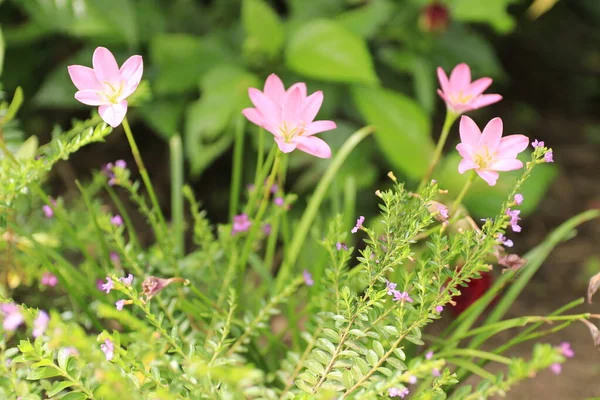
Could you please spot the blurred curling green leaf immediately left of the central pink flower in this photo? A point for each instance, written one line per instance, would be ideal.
(224, 95)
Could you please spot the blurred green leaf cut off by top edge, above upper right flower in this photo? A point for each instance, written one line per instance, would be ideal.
(493, 12)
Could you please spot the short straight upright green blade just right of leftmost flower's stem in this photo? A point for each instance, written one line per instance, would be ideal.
(176, 159)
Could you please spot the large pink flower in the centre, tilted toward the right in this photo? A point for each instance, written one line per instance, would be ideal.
(289, 116)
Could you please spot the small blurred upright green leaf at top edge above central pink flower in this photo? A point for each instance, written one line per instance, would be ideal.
(264, 30)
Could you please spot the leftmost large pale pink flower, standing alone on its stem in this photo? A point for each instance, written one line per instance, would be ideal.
(106, 85)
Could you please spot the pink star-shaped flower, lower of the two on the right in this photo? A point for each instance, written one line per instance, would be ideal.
(488, 152)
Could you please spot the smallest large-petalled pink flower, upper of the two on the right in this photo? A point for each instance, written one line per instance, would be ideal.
(462, 95)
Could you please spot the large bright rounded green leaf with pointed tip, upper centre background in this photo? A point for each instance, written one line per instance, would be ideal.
(326, 50)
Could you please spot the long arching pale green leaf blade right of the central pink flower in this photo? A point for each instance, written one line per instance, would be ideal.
(314, 203)
